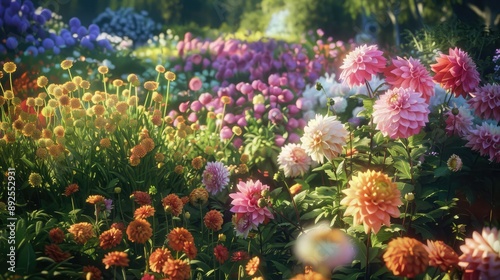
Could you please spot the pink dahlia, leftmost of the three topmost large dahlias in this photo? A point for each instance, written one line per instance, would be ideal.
(360, 64)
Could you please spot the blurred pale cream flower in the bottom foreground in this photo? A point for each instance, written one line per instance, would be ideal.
(324, 248)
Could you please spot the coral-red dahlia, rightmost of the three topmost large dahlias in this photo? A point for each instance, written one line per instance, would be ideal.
(456, 72)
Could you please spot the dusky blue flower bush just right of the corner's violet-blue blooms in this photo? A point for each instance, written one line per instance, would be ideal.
(125, 22)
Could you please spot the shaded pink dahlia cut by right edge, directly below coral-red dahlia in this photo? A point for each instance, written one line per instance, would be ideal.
(486, 102)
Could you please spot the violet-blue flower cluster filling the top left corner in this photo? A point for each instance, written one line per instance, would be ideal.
(24, 28)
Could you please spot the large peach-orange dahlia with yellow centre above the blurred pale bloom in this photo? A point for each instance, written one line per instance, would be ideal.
(372, 199)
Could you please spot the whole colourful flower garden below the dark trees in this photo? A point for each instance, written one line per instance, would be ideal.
(232, 158)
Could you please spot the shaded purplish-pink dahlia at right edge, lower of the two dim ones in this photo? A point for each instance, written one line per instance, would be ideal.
(486, 140)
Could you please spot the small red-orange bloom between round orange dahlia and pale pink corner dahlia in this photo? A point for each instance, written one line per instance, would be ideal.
(441, 255)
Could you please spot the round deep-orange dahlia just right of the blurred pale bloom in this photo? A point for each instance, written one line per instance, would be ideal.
(406, 257)
